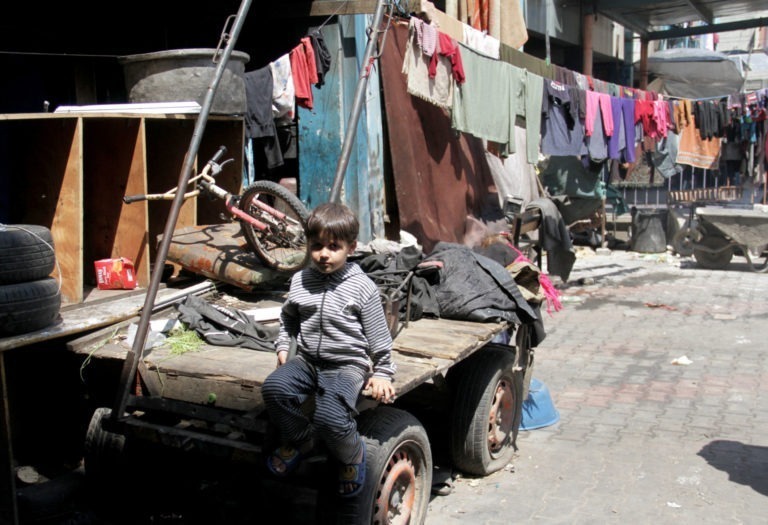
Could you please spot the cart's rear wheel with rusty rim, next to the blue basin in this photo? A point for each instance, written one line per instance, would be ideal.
(486, 411)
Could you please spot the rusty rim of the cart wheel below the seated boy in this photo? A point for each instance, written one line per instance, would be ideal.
(396, 493)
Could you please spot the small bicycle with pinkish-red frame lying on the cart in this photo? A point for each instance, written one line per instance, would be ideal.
(272, 218)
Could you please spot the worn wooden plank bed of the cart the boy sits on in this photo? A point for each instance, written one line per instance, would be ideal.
(231, 377)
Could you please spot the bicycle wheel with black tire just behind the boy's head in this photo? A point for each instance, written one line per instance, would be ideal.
(280, 239)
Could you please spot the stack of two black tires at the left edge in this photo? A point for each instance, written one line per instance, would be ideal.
(29, 298)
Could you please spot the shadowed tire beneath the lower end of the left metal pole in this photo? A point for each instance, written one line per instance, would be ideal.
(103, 456)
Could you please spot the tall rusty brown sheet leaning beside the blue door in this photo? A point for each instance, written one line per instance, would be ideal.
(442, 179)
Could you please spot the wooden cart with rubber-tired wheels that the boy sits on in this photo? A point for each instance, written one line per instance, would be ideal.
(209, 401)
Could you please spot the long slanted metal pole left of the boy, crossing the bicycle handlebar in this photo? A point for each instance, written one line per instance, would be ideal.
(130, 366)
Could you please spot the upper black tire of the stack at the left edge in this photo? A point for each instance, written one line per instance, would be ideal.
(26, 253)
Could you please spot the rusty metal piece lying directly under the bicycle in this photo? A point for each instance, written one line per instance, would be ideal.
(220, 251)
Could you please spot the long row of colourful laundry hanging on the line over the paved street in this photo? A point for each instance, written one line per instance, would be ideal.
(565, 113)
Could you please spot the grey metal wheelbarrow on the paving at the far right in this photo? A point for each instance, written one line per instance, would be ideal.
(721, 231)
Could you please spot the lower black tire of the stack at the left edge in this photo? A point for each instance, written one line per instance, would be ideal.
(30, 306)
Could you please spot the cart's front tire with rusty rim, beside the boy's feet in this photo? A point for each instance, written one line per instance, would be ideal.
(398, 478)
